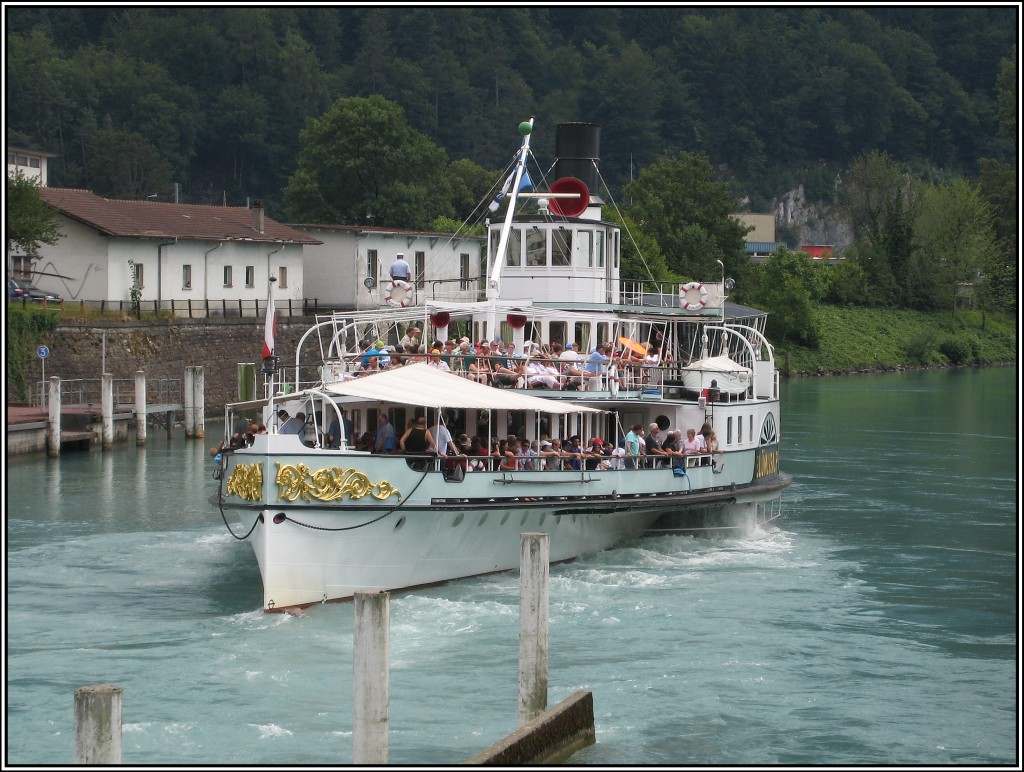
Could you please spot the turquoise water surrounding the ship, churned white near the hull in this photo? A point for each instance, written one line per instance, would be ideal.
(876, 624)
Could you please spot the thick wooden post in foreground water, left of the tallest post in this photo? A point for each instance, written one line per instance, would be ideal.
(370, 683)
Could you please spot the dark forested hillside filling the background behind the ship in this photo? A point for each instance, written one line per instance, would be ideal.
(137, 100)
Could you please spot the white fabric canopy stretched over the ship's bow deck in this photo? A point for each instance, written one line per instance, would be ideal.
(429, 388)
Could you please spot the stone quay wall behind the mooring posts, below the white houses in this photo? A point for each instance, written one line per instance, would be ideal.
(163, 350)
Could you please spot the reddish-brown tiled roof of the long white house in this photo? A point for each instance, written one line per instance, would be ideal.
(147, 220)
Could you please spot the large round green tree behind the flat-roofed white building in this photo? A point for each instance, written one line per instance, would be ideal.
(362, 163)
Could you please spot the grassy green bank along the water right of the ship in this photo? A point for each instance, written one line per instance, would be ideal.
(863, 339)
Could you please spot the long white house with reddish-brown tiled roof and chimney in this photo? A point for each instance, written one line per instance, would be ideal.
(169, 252)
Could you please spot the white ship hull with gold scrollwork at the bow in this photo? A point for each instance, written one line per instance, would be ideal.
(432, 530)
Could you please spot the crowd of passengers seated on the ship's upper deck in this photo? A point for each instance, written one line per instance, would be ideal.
(497, 363)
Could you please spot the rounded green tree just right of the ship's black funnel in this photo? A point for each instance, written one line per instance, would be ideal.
(679, 204)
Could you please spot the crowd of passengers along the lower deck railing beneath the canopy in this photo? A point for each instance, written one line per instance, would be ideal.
(635, 451)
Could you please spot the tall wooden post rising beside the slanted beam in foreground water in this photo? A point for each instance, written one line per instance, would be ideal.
(534, 556)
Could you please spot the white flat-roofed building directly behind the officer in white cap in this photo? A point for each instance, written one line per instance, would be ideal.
(349, 268)
